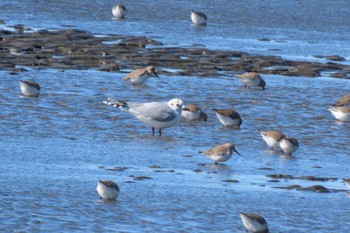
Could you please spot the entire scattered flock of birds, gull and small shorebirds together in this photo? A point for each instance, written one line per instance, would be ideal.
(160, 115)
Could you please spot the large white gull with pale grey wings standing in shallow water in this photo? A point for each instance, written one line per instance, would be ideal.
(158, 115)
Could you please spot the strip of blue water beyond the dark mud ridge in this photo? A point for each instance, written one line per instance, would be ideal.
(294, 29)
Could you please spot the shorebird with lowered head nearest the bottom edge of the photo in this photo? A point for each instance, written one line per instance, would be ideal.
(254, 223)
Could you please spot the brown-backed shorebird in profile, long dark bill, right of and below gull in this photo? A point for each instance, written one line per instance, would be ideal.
(220, 153)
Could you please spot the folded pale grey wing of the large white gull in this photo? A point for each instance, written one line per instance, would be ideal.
(154, 110)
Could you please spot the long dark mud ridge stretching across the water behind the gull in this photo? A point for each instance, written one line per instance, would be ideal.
(76, 49)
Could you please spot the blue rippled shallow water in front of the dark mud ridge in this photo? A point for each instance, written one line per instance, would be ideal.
(56, 147)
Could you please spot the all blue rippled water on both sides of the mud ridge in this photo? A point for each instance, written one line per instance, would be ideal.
(54, 149)
